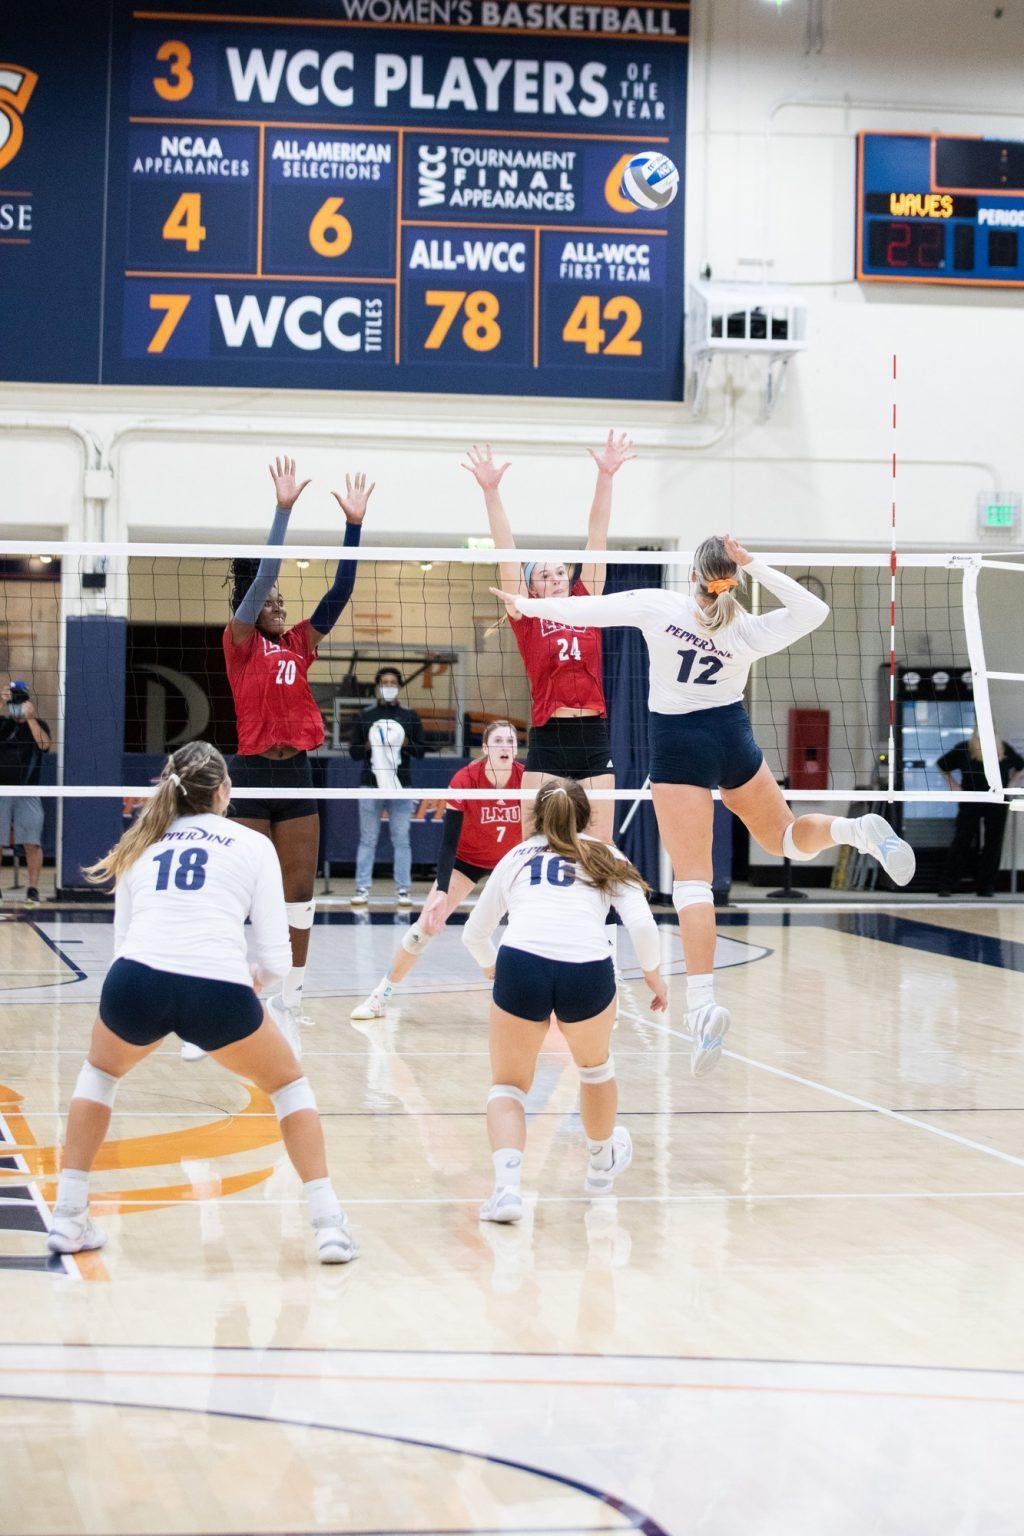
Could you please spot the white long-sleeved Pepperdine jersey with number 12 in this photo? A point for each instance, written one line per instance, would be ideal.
(692, 669)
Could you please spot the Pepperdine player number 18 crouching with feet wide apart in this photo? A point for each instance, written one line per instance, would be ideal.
(187, 884)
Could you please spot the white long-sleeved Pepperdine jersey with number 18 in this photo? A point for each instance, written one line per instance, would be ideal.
(183, 905)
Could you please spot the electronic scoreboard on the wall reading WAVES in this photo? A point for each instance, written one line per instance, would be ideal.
(940, 210)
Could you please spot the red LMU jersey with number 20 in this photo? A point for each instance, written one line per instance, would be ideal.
(274, 704)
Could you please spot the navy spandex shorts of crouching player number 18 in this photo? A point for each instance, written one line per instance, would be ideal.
(142, 1005)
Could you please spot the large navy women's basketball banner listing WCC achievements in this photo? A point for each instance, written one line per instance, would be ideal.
(377, 196)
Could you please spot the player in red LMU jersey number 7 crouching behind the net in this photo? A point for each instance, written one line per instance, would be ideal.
(477, 835)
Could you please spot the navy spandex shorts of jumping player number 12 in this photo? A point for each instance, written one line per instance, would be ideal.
(710, 749)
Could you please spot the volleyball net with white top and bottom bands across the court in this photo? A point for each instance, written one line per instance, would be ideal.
(122, 652)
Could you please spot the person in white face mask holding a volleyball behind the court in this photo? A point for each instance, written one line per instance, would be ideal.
(386, 738)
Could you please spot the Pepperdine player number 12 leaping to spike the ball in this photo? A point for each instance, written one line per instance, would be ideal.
(702, 649)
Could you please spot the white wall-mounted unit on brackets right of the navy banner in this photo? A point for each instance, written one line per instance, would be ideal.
(762, 322)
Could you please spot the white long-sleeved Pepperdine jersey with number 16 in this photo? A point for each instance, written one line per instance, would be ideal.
(555, 912)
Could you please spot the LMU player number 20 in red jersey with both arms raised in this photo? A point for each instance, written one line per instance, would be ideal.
(279, 720)
